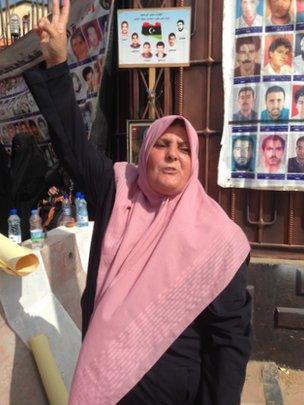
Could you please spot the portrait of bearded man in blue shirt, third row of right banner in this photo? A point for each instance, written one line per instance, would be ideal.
(275, 101)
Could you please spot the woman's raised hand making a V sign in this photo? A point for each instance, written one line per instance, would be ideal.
(52, 34)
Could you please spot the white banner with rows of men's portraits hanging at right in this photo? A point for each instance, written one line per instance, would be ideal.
(263, 67)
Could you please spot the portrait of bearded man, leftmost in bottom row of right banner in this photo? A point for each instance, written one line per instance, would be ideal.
(243, 152)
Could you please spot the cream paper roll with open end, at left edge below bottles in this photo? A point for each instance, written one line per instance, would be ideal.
(16, 260)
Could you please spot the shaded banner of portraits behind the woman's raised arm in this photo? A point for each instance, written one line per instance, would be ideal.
(87, 44)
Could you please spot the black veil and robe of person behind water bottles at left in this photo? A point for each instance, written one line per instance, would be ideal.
(28, 169)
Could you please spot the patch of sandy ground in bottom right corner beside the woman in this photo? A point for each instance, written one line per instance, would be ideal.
(268, 384)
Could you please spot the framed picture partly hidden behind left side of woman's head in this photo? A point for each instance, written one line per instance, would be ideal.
(136, 130)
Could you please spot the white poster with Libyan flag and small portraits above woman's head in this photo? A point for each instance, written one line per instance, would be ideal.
(154, 37)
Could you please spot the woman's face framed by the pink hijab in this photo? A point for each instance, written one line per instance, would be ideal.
(169, 162)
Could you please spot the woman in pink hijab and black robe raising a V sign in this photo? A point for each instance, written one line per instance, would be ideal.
(166, 315)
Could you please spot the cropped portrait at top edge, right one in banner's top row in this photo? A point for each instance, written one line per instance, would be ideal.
(280, 12)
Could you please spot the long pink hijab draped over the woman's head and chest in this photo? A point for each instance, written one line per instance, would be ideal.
(163, 261)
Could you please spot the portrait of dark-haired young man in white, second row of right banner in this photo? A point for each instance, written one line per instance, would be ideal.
(279, 57)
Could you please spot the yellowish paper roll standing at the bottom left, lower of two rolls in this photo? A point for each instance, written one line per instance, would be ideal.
(52, 381)
